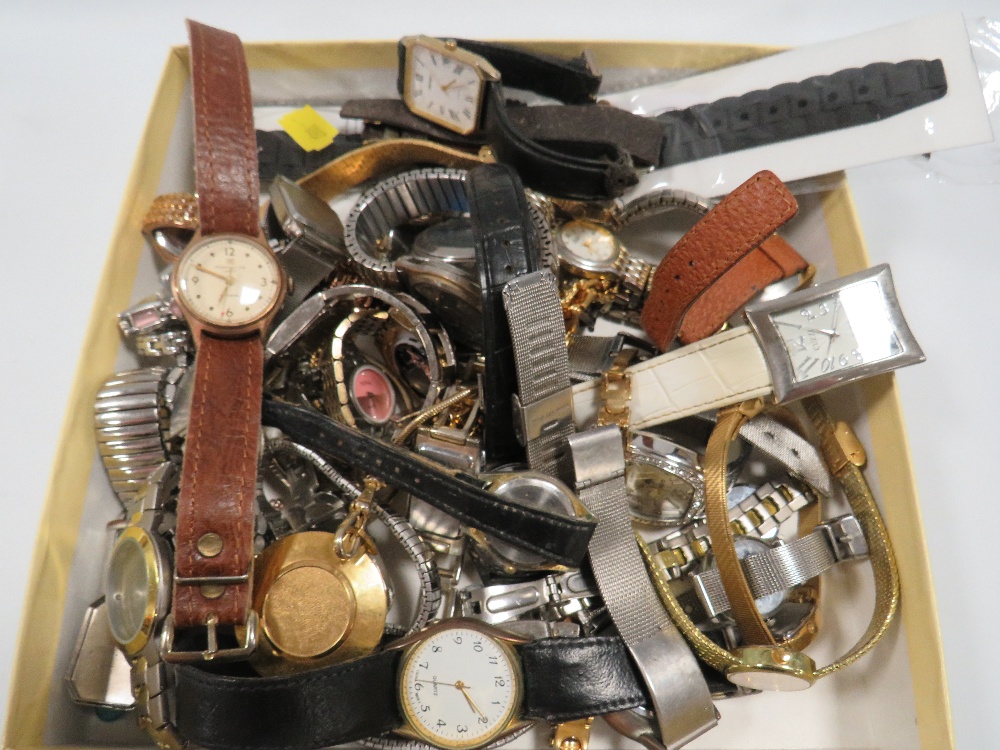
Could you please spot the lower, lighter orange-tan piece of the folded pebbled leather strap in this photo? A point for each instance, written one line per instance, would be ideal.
(773, 260)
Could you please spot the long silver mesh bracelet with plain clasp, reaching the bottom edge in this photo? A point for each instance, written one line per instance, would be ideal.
(681, 699)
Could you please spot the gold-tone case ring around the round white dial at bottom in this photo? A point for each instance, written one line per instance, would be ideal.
(505, 640)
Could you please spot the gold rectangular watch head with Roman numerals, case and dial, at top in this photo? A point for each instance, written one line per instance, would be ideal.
(444, 84)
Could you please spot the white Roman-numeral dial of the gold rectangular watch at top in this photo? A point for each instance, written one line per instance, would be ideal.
(443, 89)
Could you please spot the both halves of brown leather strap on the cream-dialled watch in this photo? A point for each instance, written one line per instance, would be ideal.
(215, 507)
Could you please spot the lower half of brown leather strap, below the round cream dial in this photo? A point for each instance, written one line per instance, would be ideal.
(215, 508)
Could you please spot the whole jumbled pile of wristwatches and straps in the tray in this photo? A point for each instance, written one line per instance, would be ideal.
(452, 434)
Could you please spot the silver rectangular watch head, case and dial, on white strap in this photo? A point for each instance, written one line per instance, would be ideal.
(834, 333)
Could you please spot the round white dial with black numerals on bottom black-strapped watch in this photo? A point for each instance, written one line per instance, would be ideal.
(459, 688)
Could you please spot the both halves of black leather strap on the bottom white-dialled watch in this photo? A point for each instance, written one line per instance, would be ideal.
(564, 678)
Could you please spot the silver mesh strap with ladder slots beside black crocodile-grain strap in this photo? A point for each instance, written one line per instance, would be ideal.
(544, 402)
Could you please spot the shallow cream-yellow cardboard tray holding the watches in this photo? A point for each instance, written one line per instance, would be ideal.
(894, 698)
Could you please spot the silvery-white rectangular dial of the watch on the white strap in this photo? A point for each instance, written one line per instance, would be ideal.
(836, 333)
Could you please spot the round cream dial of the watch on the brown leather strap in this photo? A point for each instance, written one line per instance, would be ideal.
(228, 280)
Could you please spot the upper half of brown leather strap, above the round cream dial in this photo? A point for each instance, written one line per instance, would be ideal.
(225, 143)
